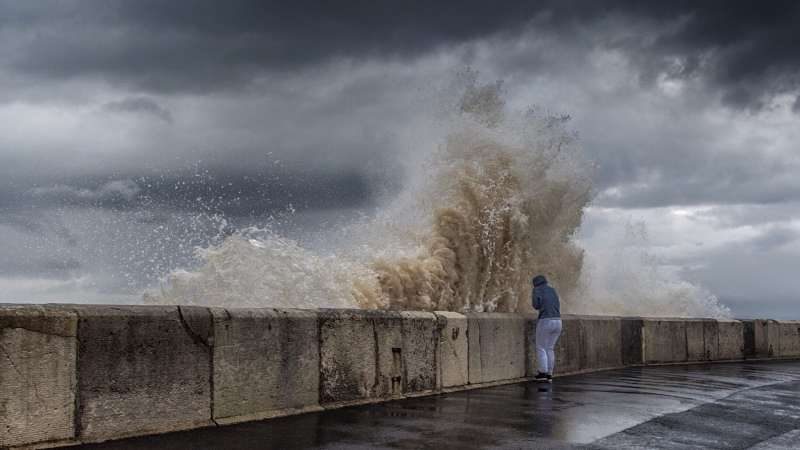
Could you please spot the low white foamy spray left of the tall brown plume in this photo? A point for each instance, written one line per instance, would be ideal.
(257, 267)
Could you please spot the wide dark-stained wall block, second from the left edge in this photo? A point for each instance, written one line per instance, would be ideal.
(142, 370)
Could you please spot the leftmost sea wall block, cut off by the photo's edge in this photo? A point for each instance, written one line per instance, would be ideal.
(37, 374)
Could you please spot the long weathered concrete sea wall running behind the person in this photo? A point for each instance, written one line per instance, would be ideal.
(91, 373)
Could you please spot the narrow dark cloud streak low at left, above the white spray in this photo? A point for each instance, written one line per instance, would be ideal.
(234, 194)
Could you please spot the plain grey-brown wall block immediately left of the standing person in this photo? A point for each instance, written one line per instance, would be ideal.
(496, 347)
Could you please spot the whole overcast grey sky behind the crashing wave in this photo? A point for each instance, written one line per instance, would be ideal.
(120, 119)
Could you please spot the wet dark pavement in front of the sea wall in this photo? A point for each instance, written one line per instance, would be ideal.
(734, 405)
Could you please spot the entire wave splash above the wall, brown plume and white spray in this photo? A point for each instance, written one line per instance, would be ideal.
(500, 199)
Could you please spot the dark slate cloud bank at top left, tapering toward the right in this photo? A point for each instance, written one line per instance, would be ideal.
(207, 45)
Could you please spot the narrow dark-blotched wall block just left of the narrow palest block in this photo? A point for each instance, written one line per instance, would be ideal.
(420, 334)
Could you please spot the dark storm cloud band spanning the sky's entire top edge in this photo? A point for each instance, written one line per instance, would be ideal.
(747, 49)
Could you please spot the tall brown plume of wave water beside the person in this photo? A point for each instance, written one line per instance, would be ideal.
(500, 214)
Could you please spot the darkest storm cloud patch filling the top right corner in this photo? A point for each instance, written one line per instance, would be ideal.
(747, 48)
